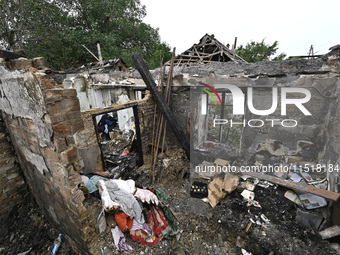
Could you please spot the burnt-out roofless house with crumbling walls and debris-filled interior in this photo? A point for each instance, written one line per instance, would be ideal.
(59, 130)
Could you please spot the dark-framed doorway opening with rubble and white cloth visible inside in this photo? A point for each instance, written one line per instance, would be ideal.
(118, 136)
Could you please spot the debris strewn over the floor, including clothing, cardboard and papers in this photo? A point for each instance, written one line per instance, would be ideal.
(265, 222)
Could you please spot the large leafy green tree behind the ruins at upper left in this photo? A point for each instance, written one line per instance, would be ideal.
(57, 29)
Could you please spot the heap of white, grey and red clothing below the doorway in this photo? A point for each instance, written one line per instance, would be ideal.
(142, 213)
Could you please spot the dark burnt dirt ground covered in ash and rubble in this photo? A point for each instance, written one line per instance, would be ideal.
(203, 229)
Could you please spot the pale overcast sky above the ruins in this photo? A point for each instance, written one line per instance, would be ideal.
(295, 24)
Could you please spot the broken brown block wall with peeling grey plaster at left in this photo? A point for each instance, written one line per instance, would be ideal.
(42, 121)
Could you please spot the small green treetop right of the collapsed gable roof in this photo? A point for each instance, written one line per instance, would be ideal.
(258, 51)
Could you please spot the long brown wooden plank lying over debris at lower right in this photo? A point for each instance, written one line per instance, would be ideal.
(296, 186)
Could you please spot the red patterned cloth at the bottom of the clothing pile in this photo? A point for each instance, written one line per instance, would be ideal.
(156, 222)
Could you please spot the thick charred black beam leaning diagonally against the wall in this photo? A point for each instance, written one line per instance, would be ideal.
(163, 107)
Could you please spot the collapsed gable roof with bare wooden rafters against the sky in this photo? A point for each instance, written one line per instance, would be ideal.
(208, 50)
